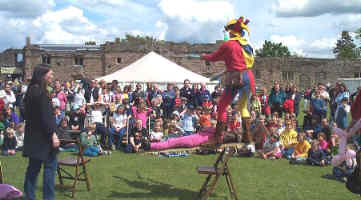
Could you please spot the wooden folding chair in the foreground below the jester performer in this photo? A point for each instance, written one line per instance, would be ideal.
(214, 172)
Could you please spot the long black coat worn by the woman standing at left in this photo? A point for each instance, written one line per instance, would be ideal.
(39, 125)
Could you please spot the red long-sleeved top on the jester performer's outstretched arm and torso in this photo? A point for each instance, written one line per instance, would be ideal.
(231, 53)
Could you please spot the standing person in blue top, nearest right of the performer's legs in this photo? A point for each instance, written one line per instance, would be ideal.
(276, 99)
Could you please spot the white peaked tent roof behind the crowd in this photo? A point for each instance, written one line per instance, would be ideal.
(154, 68)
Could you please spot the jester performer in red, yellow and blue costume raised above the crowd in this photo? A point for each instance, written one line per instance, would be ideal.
(238, 57)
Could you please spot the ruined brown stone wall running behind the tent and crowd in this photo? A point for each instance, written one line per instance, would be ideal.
(113, 56)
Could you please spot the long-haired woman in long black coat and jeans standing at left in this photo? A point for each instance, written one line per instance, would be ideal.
(40, 140)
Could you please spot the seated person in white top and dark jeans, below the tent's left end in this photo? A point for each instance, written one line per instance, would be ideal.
(118, 127)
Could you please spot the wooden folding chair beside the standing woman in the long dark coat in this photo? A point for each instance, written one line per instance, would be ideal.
(79, 165)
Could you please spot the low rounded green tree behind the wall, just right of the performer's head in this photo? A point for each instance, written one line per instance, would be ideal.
(272, 49)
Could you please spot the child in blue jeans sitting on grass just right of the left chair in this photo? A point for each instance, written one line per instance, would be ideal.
(89, 141)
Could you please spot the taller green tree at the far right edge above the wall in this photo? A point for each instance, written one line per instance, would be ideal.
(346, 48)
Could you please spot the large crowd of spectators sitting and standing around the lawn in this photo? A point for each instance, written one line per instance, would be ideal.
(110, 117)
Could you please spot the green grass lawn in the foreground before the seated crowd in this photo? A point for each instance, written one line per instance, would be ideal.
(131, 176)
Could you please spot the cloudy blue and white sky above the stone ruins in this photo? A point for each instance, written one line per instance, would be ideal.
(308, 27)
